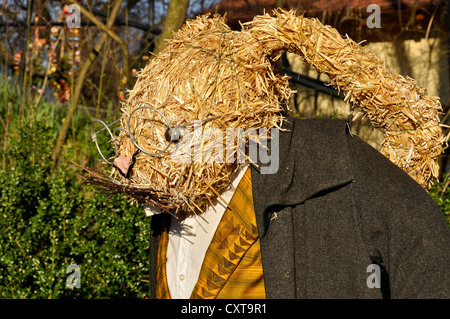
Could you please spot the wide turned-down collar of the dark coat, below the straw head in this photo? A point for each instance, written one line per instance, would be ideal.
(313, 158)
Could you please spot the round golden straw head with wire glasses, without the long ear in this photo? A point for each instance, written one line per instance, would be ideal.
(206, 70)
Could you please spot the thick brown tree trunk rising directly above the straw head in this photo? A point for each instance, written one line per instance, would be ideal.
(176, 15)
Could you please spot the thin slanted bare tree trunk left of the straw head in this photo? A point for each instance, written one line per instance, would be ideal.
(79, 84)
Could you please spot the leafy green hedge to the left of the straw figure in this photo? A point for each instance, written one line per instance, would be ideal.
(50, 219)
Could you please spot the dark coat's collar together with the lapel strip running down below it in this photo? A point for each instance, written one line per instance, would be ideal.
(313, 159)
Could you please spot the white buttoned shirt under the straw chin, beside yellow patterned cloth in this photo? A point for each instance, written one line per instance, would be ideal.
(189, 240)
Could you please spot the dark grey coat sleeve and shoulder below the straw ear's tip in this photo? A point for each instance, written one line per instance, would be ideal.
(402, 227)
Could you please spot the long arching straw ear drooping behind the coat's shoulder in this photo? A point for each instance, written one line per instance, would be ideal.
(408, 118)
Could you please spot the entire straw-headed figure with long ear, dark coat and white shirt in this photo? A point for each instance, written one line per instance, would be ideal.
(247, 202)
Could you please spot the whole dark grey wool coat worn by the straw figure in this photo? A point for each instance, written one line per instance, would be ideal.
(335, 207)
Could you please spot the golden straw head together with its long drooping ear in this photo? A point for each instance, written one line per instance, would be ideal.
(208, 70)
